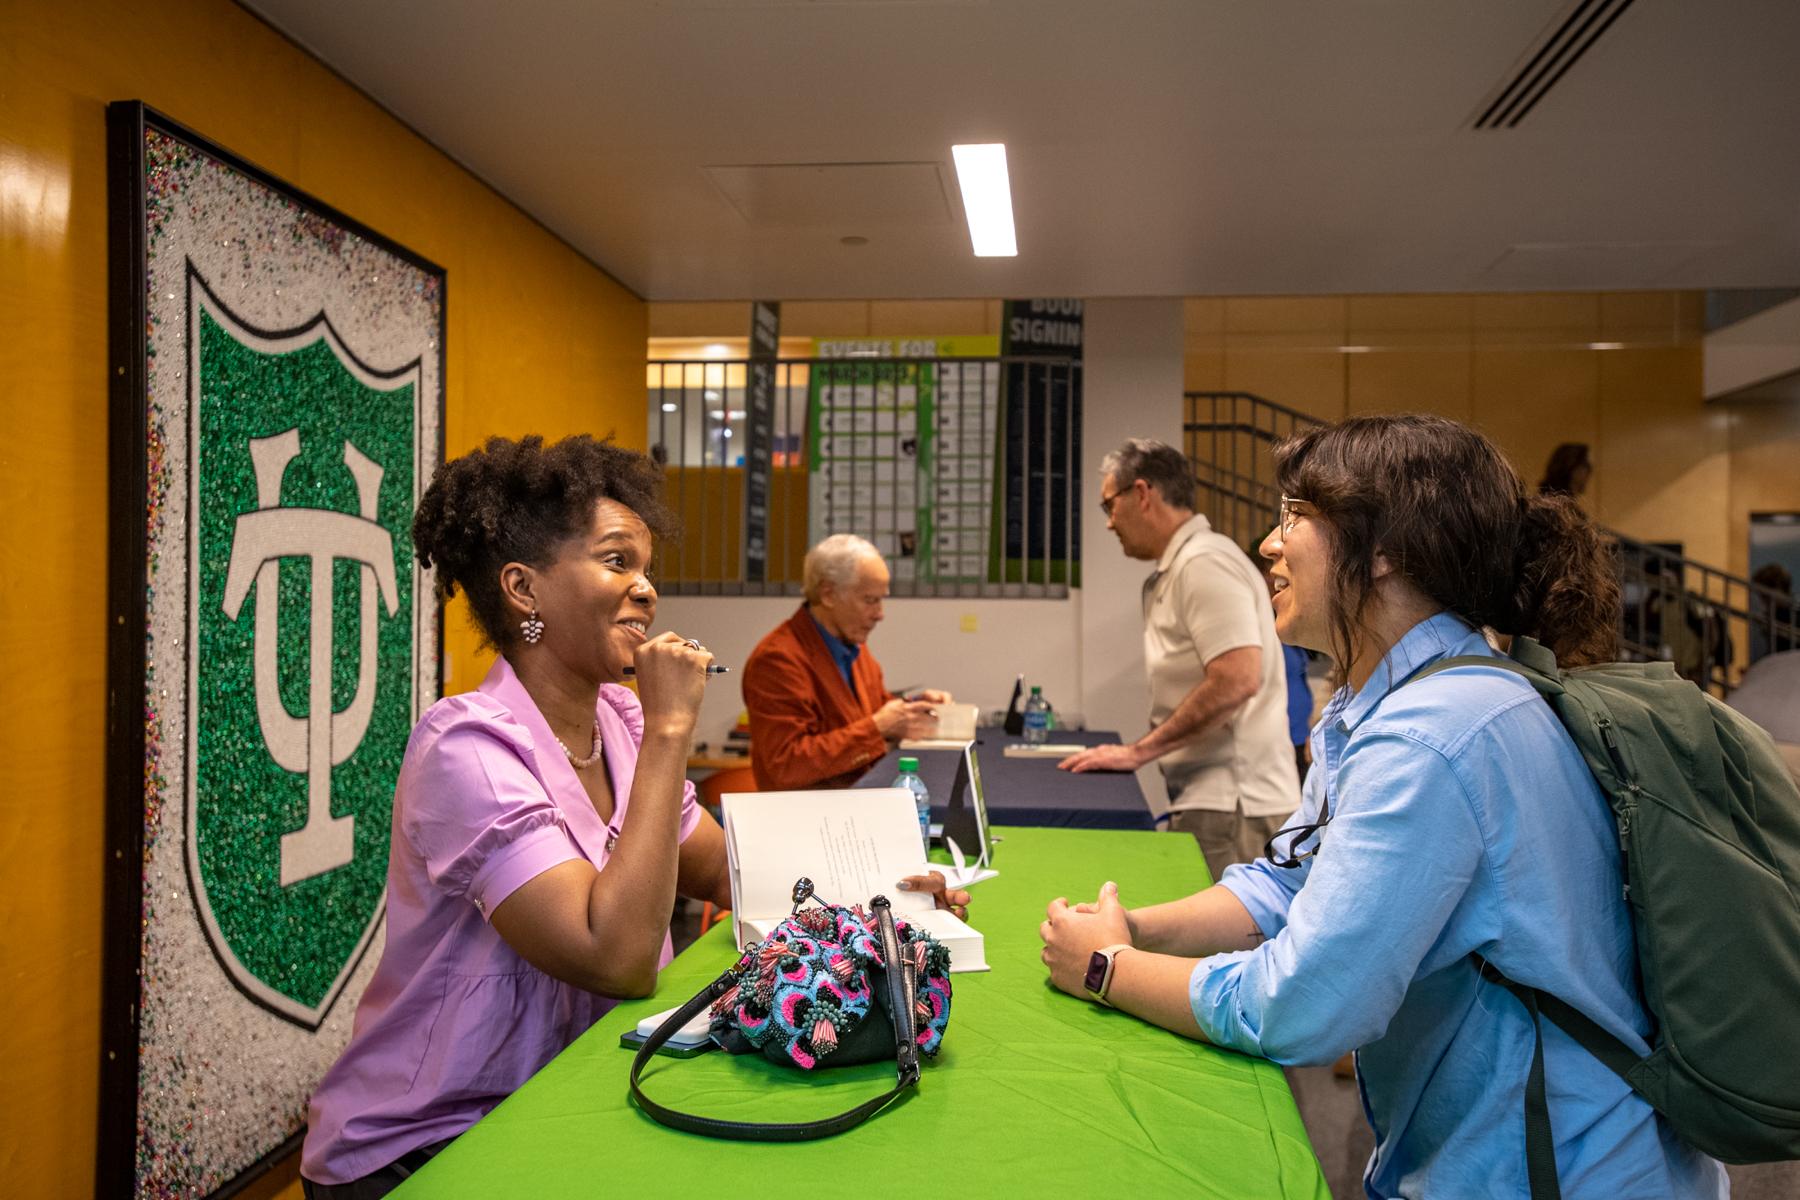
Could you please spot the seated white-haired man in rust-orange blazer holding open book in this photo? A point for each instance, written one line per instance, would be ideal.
(820, 712)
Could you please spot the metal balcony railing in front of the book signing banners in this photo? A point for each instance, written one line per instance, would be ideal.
(964, 472)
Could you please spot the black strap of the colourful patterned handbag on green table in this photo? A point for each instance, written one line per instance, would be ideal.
(906, 1057)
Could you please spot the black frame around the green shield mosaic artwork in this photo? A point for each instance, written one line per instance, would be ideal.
(127, 618)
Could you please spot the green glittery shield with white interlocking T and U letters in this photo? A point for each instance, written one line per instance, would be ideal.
(305, 638)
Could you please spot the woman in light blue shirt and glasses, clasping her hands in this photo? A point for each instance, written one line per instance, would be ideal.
(1441, 821)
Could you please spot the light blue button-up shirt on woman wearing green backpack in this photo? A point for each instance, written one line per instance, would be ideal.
(1462, 821)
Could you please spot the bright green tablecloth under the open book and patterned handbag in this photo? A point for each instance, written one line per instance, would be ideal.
(1034, 1091)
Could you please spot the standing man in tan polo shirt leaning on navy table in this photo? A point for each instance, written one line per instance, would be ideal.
(1218, 688)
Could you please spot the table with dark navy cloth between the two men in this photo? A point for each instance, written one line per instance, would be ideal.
(1029, 793)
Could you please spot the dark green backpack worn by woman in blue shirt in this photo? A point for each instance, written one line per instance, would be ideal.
(1709, 843)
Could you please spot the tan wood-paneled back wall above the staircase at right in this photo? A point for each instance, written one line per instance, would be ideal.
(1617, 370)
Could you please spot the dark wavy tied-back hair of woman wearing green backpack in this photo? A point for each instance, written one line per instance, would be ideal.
(1455, 521)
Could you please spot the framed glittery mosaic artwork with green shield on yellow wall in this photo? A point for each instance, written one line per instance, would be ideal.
(278, 379)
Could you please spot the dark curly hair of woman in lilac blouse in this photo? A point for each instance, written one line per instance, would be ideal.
(519, 503)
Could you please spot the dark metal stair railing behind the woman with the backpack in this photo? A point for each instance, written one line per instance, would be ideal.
(1711, 623)
